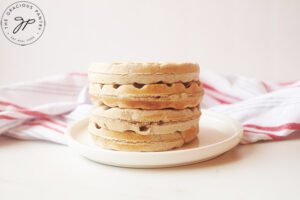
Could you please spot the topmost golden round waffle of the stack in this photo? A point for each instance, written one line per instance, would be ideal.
(143, 73)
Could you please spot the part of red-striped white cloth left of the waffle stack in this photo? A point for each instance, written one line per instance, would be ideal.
(44, 108)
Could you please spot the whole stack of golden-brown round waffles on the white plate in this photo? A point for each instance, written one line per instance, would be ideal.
(144, 106)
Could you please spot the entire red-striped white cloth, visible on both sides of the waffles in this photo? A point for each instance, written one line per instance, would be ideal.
(44, 108)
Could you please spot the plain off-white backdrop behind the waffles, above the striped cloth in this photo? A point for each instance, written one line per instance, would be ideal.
(256, 38)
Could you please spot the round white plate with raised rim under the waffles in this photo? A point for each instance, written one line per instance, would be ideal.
(218, 134)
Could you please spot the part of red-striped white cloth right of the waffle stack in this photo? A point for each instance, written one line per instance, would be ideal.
(267, 110)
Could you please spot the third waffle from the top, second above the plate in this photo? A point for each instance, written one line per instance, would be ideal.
(143, 127)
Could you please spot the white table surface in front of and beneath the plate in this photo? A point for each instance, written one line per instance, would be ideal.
(41, 170)
